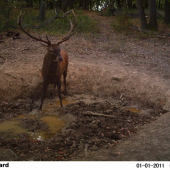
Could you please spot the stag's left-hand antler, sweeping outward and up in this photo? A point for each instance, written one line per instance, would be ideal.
(26, 32)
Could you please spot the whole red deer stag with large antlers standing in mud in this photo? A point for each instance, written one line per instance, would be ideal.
(55, 61)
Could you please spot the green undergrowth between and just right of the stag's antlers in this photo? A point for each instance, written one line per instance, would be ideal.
(60, 25)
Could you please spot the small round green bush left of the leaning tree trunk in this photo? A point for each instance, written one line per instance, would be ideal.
(122, 23)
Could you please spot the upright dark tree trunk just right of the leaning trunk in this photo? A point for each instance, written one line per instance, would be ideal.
(152, 14)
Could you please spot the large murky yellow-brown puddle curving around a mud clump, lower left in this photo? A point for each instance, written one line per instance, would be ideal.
(9, 129)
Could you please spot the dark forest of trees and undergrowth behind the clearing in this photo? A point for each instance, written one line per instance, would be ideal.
(40, 12)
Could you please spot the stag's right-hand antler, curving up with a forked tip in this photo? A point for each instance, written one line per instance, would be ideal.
(72, 28)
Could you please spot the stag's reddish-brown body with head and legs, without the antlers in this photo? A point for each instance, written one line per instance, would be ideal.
(54, 66)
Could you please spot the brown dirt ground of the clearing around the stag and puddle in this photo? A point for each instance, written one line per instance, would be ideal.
(124, 80)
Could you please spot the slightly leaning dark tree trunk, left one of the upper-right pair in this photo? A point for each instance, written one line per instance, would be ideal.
(142, 17)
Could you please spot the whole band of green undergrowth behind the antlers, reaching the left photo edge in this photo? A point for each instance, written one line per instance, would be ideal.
(85, 24)
